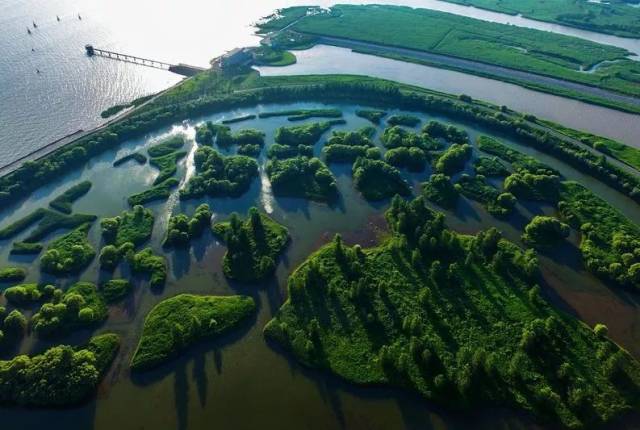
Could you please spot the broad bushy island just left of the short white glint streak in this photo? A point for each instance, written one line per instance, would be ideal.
(219, 176)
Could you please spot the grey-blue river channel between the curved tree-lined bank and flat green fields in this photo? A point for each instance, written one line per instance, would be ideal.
(323, 59)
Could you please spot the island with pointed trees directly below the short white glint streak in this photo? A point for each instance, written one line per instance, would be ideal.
(253, 246)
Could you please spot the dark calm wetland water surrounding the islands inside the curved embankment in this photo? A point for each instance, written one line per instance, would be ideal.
(240, 381)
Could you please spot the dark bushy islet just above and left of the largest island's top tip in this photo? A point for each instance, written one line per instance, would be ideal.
(377, 180)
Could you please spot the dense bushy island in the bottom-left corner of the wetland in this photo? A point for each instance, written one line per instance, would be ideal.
(60, 376)
